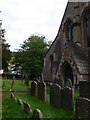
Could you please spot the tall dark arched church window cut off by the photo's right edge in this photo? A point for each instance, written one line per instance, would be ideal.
(87, 23)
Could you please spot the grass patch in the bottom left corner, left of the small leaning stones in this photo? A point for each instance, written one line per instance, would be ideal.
(11, 109)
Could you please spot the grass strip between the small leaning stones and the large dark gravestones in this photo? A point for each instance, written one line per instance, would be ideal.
(47, 110)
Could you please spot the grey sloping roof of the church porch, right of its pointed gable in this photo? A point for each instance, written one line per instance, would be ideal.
(80, 58)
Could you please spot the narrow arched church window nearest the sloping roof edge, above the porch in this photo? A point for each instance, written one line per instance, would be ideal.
(69, 31)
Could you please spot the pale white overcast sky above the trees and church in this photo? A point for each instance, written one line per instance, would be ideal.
(22, 18)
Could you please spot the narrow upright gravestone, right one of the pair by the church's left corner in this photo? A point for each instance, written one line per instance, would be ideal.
(41, 91)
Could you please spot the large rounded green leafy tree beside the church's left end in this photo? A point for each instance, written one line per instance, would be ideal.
(30, 56)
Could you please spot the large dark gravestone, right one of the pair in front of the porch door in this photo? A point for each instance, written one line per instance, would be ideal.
(67, 99)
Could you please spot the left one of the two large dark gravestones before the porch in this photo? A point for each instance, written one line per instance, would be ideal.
(55, 95)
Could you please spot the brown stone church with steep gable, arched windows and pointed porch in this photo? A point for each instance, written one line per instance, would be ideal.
(69, 55)
